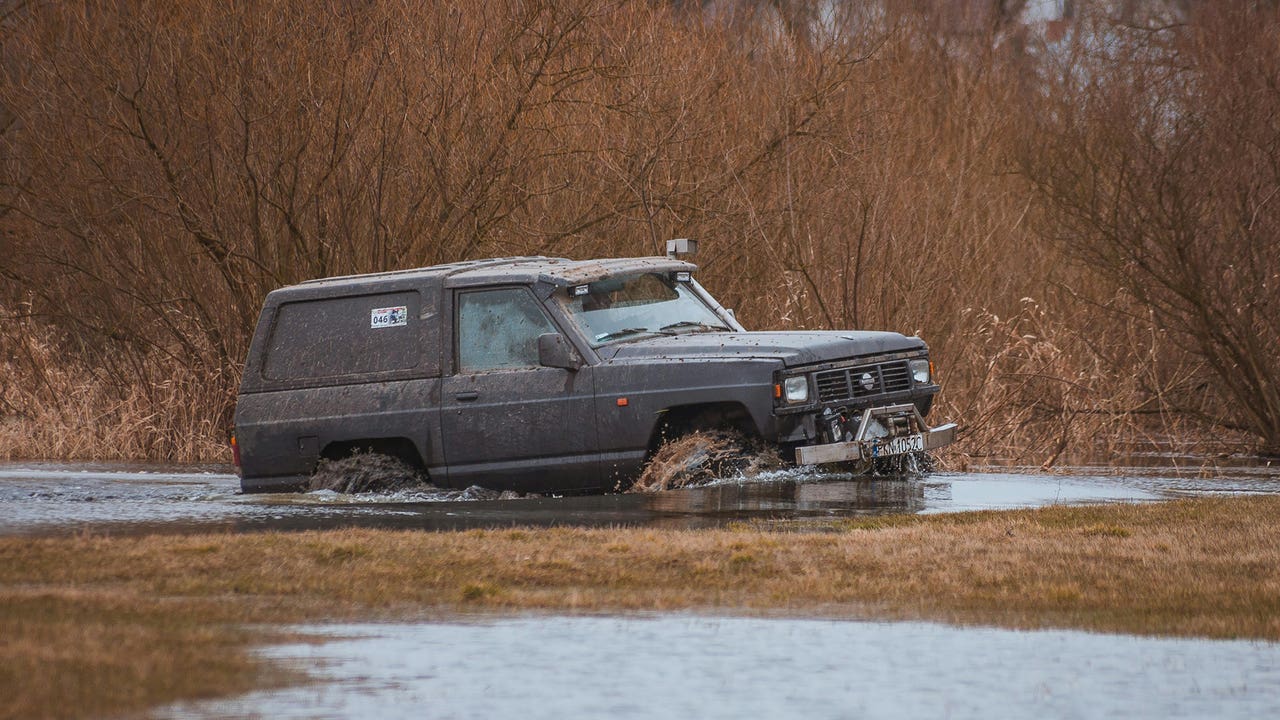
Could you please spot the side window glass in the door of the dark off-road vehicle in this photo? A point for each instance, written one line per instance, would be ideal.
(500, 329)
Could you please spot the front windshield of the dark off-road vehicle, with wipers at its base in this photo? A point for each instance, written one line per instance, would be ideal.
(628, 308)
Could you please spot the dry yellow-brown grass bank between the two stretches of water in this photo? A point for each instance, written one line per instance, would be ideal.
(100, 626)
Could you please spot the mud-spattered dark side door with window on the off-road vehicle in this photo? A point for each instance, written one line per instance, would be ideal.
(510, 423)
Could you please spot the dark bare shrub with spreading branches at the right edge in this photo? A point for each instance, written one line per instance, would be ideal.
(1159, 168)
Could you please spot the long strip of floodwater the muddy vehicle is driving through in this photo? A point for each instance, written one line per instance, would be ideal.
(44, 498)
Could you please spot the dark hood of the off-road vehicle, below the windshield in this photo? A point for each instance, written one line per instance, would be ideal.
(793, 349)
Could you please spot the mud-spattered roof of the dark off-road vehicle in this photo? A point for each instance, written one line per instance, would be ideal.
(497, 271)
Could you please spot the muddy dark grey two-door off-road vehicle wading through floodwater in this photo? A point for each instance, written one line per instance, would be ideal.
(543, 375)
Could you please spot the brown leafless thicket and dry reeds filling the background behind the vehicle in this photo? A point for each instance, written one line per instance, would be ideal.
(1084, 230)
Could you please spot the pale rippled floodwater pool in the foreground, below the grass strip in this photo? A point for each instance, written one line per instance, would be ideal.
(693, 667)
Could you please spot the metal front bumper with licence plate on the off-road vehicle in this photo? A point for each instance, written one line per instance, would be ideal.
(883, 432)
